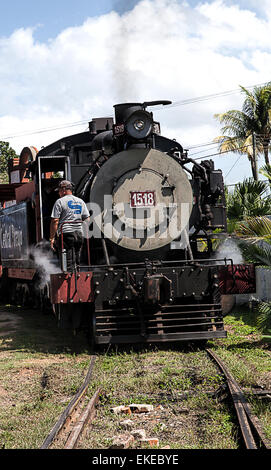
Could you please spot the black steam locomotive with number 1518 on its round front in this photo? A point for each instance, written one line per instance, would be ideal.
(148, 271)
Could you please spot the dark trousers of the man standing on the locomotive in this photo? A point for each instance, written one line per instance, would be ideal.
(72, 243)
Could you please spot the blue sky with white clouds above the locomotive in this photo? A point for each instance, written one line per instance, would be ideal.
(63, 63)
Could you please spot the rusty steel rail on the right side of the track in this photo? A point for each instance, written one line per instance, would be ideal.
(243, 409)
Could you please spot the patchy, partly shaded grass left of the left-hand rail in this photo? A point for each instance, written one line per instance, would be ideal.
(40, 369)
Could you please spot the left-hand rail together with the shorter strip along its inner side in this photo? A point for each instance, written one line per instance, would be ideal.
(74, 419)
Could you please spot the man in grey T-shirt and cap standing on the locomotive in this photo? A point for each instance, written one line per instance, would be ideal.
(67, 215)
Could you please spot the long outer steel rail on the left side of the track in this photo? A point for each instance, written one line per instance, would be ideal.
(71, 408)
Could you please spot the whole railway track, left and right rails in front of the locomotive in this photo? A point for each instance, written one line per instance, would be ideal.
(79, 414)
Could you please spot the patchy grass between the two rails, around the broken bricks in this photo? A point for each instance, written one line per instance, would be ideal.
(160, 376)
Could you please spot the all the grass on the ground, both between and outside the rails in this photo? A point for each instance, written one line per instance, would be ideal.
(41, 368)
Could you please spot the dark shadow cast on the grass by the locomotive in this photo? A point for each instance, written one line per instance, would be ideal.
(31, 330)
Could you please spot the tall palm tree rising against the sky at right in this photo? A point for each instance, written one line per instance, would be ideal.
(248, 131)
